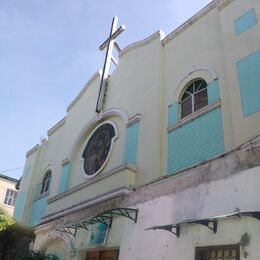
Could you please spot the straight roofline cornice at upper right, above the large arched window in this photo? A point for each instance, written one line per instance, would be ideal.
(215, 3)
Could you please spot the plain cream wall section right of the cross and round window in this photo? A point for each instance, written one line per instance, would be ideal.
(135, 86)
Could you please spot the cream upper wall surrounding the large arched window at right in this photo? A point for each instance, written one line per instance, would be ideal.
(211, 41)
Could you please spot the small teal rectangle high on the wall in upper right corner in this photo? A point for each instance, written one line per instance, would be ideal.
(245, 22)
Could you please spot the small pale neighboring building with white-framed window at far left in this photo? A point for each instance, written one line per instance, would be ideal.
(8, 193)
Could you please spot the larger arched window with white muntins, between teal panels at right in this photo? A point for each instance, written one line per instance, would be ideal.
(194, 97)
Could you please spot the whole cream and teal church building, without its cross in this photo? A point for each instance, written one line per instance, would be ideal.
(170, 167)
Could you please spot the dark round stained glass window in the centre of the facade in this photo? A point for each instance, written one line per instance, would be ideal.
(97, 149)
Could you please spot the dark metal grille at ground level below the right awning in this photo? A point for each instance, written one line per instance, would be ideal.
(230, 252)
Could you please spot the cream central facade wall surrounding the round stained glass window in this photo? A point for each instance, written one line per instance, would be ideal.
(69, 141)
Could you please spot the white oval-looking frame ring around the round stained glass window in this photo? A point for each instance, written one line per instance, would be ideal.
(109, 153)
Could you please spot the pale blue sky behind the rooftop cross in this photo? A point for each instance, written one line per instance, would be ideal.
(49, 50)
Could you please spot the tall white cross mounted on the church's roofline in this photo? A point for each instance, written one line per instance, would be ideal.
(109, 44)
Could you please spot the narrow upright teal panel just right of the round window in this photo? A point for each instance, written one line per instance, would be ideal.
(131, 143)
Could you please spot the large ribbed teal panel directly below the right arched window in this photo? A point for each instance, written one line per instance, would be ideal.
(195, 142)
